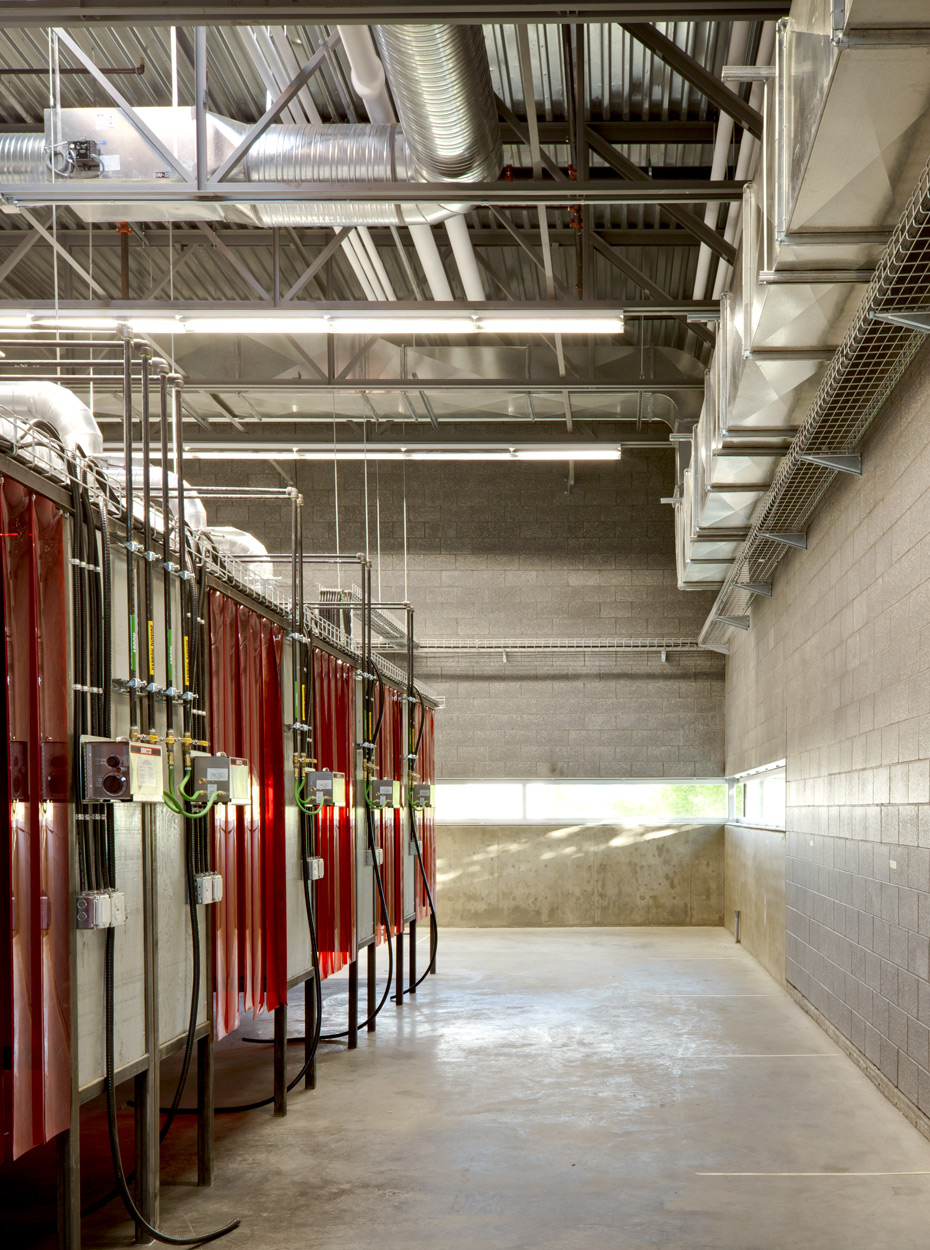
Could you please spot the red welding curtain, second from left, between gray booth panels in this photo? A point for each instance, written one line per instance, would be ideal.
(247, 721)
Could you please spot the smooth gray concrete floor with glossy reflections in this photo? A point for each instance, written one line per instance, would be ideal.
(568, 1091)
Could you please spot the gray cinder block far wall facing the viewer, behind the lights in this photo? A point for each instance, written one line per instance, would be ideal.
(502, 551)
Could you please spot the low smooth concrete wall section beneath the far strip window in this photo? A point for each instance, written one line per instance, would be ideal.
(566, 876)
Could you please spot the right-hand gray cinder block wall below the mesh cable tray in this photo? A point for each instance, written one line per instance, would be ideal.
(834, 676)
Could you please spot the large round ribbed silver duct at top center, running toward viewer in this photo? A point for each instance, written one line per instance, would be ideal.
(442, 86)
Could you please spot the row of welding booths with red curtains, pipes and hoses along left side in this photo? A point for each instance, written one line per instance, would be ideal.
(219, 789)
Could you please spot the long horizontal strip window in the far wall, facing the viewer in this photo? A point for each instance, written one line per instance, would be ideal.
(581, 802)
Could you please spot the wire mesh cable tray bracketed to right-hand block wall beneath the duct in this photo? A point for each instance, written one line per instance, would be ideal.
(868, 364)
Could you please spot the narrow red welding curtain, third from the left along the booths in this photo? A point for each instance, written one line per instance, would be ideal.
(334, 737)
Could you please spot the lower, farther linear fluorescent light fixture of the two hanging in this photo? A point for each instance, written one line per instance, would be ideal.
(424, 452)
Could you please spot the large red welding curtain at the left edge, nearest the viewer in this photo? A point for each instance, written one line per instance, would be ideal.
(34, 872)
